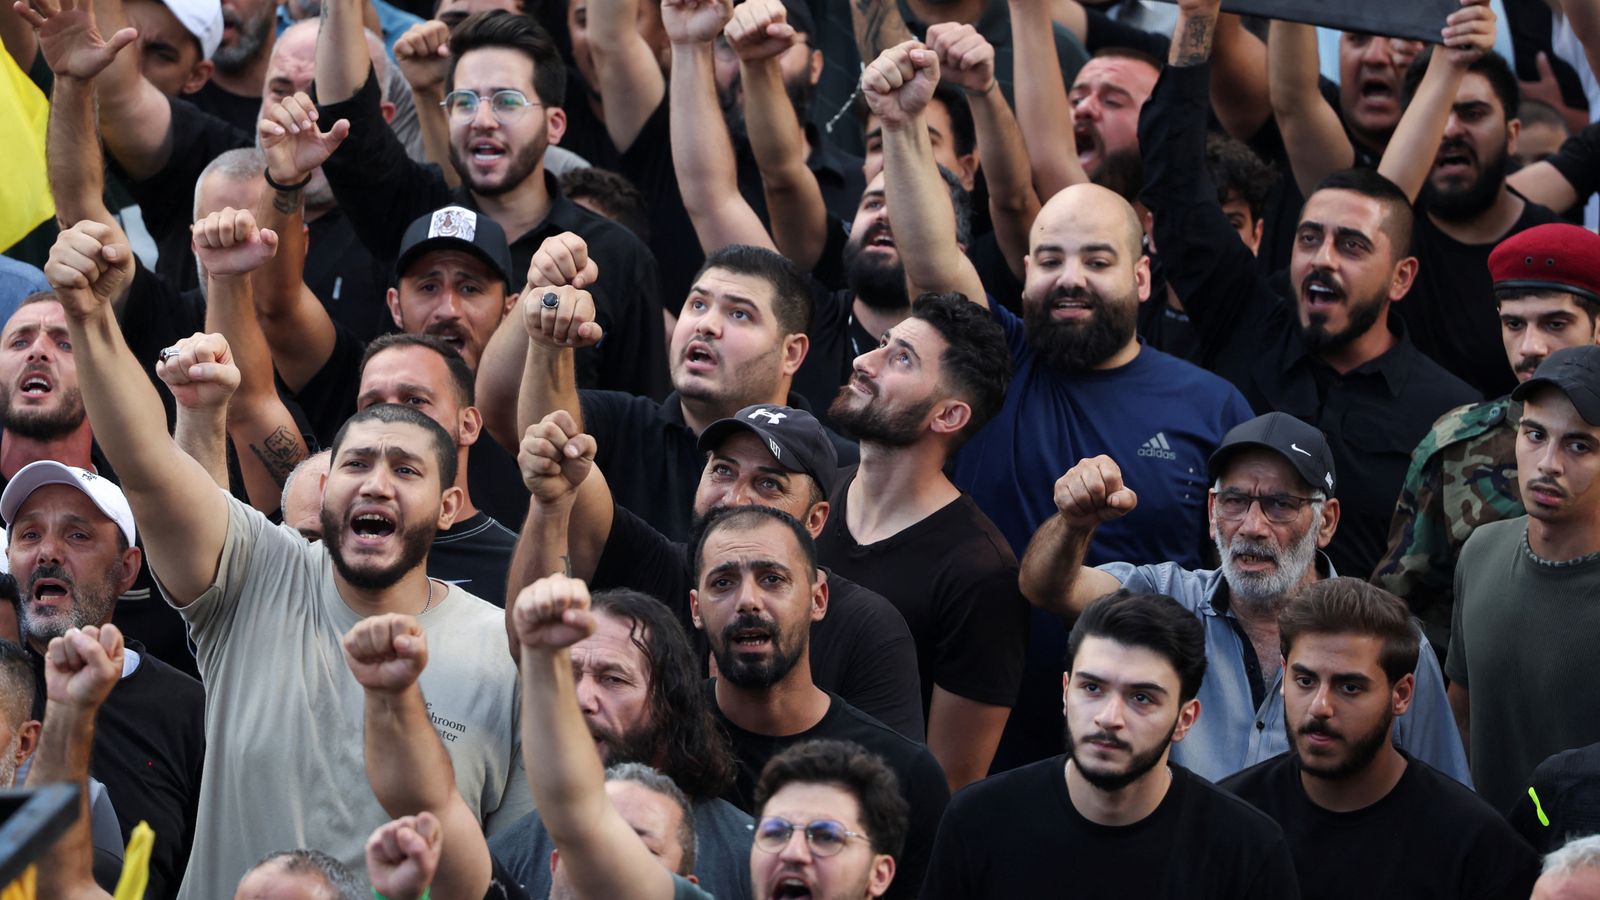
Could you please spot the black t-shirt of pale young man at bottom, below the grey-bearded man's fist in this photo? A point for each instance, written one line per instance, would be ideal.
(1018, 835)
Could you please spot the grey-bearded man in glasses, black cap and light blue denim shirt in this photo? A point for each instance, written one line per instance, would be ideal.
(1271, 507)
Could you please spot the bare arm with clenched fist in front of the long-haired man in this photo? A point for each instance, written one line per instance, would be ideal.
(601, 853)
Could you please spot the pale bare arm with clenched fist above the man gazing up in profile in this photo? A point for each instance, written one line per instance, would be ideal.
(898, 87)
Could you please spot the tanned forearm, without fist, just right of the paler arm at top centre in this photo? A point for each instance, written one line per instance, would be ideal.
(794, 199)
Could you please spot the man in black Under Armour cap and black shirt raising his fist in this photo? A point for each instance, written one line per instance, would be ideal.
(767, 456)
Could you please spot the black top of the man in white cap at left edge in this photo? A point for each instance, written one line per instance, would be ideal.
(150, 750)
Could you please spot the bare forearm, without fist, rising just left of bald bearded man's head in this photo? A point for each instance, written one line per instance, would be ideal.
(1009, 175)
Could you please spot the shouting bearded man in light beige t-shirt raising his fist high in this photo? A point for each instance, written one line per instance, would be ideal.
(266, 609)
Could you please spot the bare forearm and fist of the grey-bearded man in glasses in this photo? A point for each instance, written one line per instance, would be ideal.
(1054, 576)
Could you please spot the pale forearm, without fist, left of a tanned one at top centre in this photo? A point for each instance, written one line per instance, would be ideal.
(703, 156)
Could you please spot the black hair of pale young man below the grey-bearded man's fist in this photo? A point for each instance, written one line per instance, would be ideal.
(1154, 622)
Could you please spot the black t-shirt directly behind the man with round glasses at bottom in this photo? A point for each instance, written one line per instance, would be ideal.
(921, 779)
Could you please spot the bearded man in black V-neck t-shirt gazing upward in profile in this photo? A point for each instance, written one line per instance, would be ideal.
(902, 529)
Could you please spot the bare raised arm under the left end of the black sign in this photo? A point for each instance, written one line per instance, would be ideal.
(1313, 135)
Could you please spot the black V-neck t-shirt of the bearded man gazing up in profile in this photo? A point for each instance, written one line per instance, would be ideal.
(954, 579)
